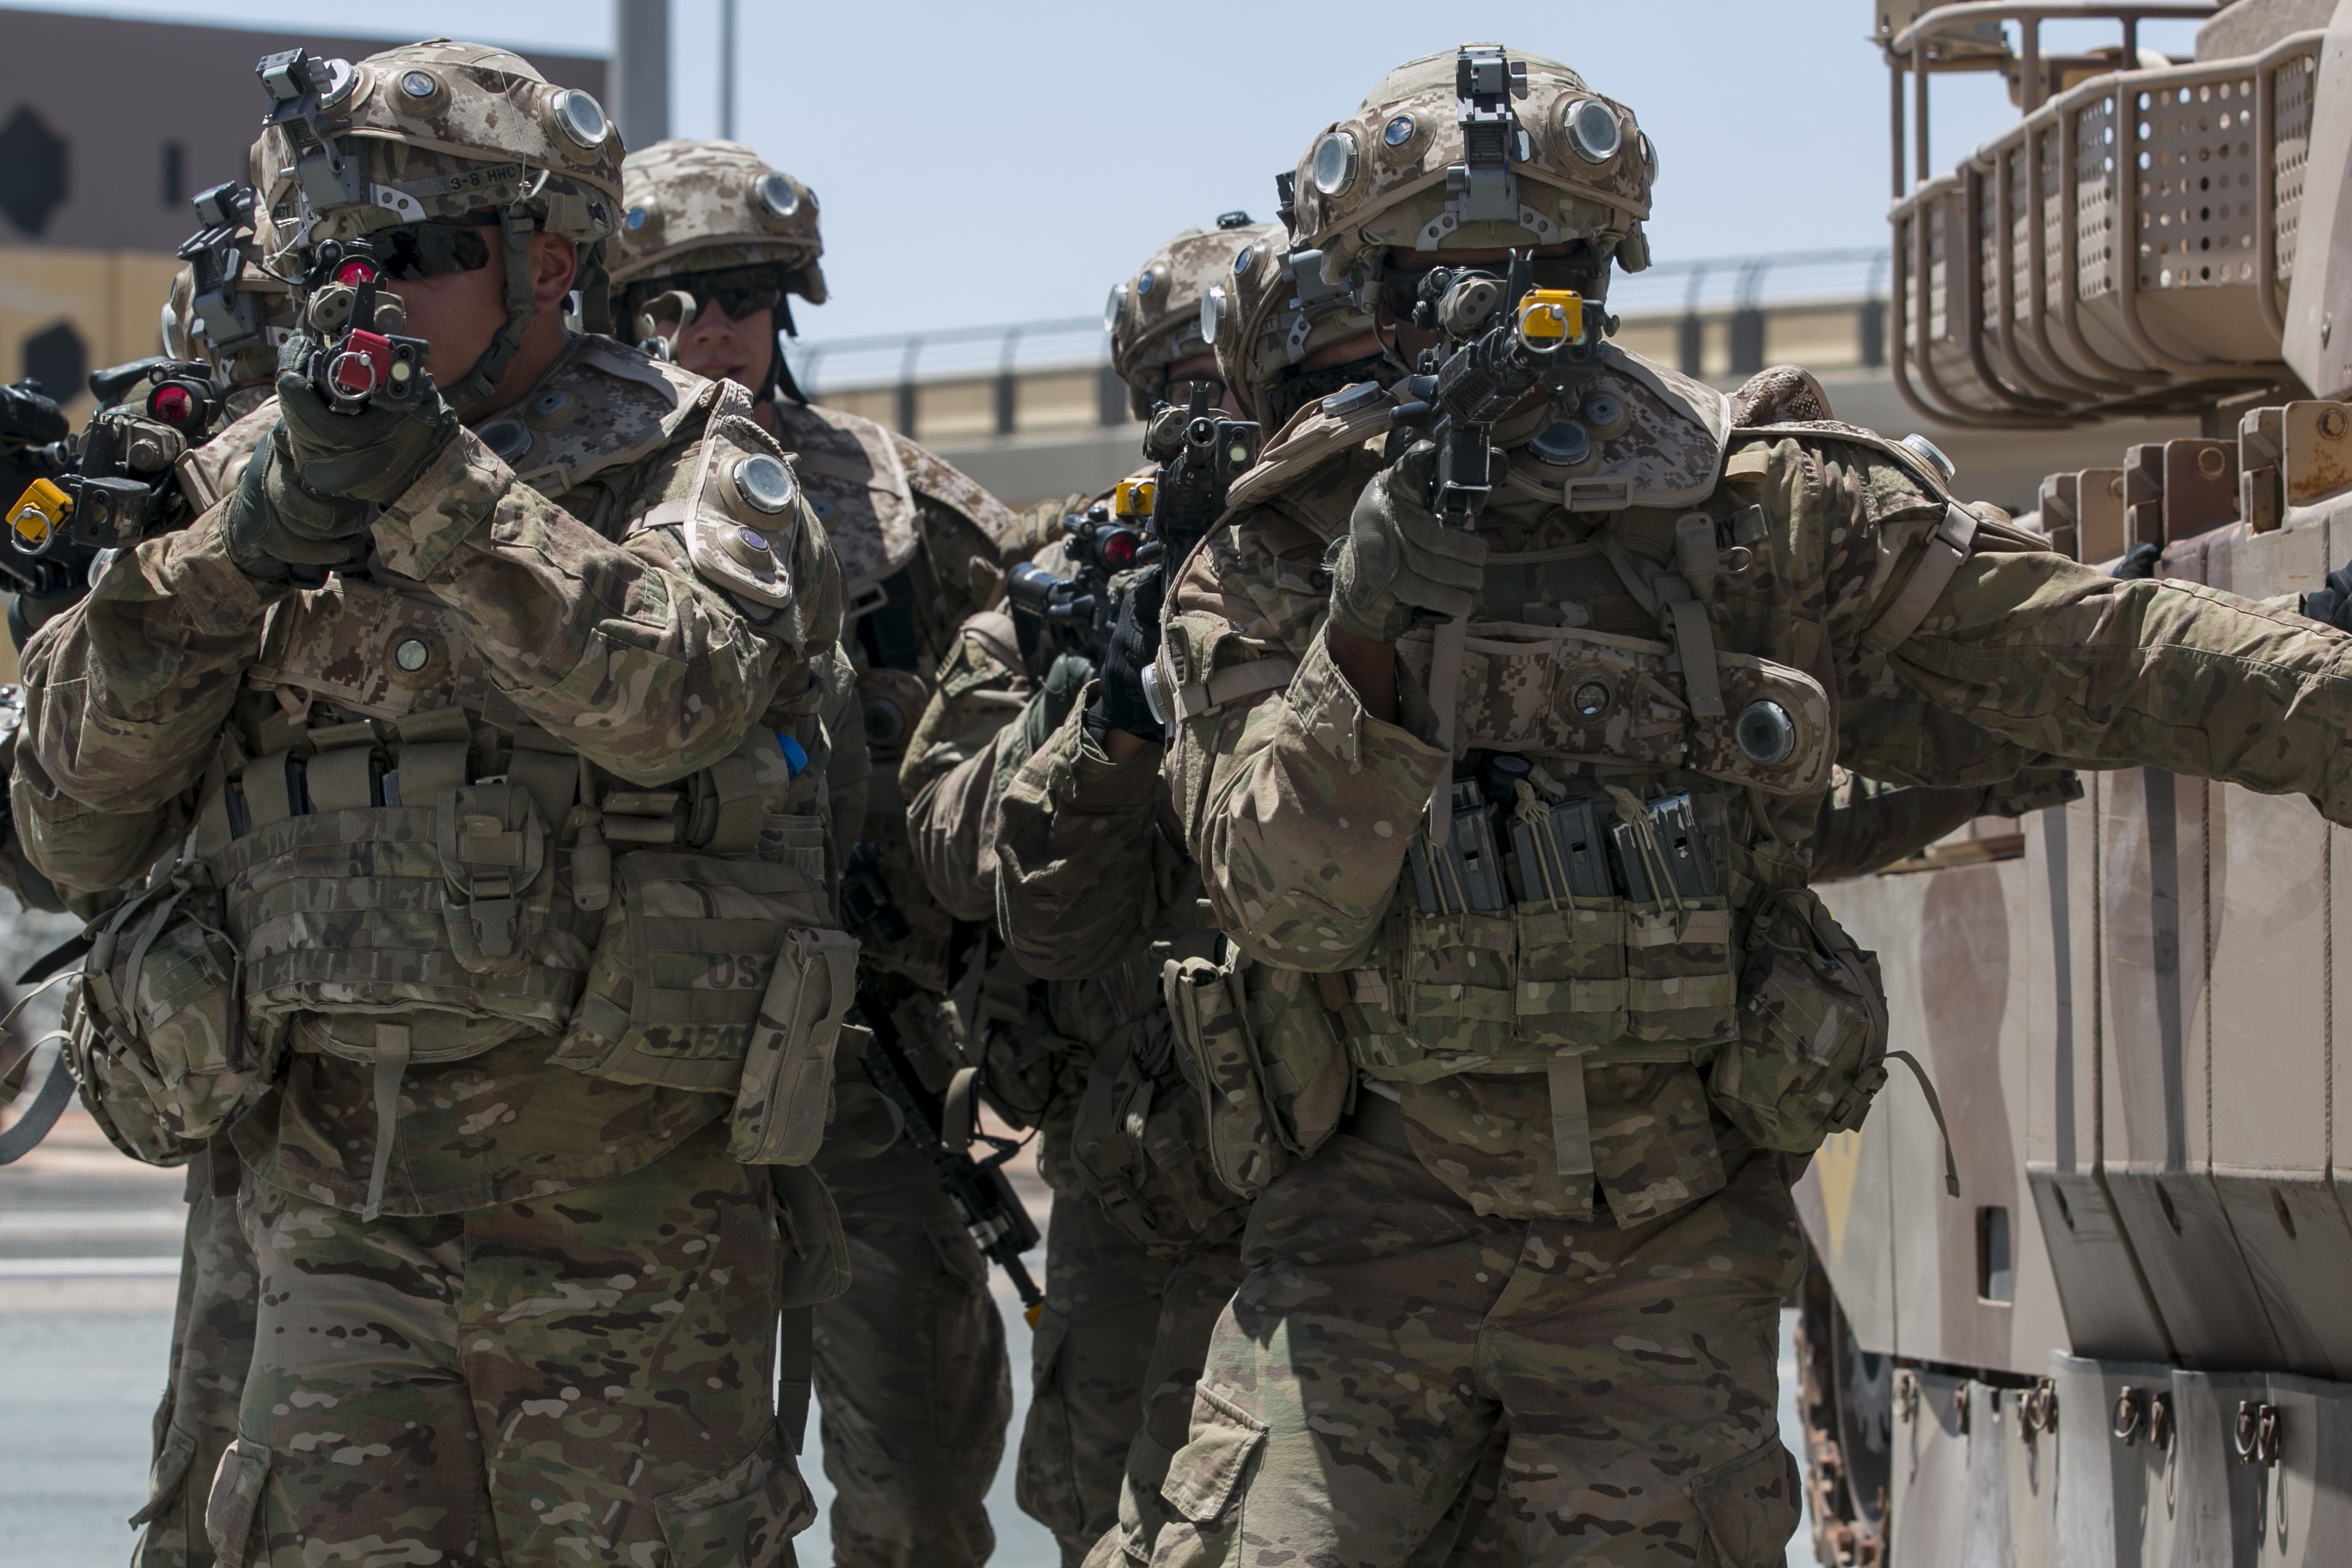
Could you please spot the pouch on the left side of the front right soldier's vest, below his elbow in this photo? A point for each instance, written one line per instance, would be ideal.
(1259, 1050)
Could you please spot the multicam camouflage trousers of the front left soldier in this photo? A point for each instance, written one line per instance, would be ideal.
(566, 1381)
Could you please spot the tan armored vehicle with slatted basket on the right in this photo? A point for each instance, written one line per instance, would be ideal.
(2130, 1339)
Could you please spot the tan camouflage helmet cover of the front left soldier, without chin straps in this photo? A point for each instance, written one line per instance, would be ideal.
(443, 130)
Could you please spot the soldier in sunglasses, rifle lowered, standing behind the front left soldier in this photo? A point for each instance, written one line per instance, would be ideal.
(911, 1369)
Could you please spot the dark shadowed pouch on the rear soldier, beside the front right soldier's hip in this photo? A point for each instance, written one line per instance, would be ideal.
(1142, 1146)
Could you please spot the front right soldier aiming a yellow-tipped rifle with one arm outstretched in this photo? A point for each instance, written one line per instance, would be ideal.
(1575, 1083)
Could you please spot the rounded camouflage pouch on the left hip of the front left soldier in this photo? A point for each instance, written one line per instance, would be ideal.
(156, 1026)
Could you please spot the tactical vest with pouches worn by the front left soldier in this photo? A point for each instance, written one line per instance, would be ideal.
(392, 864)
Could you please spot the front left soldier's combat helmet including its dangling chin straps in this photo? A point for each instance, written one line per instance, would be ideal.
(427, 135)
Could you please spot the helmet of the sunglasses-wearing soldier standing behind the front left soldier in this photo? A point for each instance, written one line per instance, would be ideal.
(719, 215)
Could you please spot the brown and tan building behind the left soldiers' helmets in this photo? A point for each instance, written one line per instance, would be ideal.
(107, 128)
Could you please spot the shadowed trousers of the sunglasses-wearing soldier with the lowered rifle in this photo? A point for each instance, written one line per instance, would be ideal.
(911, 1379)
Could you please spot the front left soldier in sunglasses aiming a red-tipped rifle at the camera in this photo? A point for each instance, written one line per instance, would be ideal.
(486, 699)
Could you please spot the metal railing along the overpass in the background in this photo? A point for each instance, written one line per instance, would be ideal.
(1718, 293)
